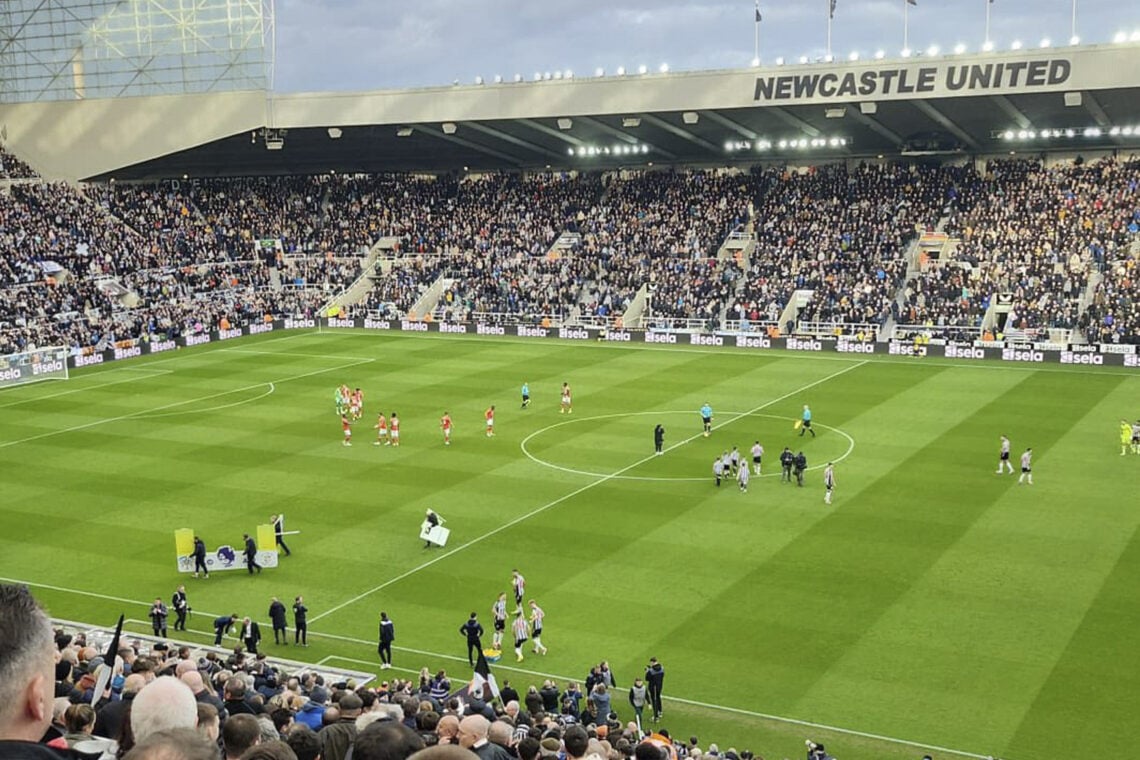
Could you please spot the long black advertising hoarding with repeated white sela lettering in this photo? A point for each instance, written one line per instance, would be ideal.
(1089, 356)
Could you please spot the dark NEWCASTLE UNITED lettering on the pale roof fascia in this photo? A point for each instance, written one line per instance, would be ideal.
(929, 80)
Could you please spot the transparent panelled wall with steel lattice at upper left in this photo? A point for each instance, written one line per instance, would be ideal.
(79, 50)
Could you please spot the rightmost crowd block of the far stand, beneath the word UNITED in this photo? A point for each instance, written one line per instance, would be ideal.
(1036, 236)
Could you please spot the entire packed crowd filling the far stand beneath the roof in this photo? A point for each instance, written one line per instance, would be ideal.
(100, 264)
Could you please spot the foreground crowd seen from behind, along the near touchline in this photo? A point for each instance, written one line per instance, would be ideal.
(227, 705)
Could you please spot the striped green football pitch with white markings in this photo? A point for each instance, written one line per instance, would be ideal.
(934, 602)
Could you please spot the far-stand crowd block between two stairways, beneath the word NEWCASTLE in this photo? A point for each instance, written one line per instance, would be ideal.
(843, 233)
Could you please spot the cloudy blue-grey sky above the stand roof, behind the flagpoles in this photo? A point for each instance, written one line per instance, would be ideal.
(373, 45)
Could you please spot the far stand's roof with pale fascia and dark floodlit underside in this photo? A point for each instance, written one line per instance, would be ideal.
(1068, 100)
